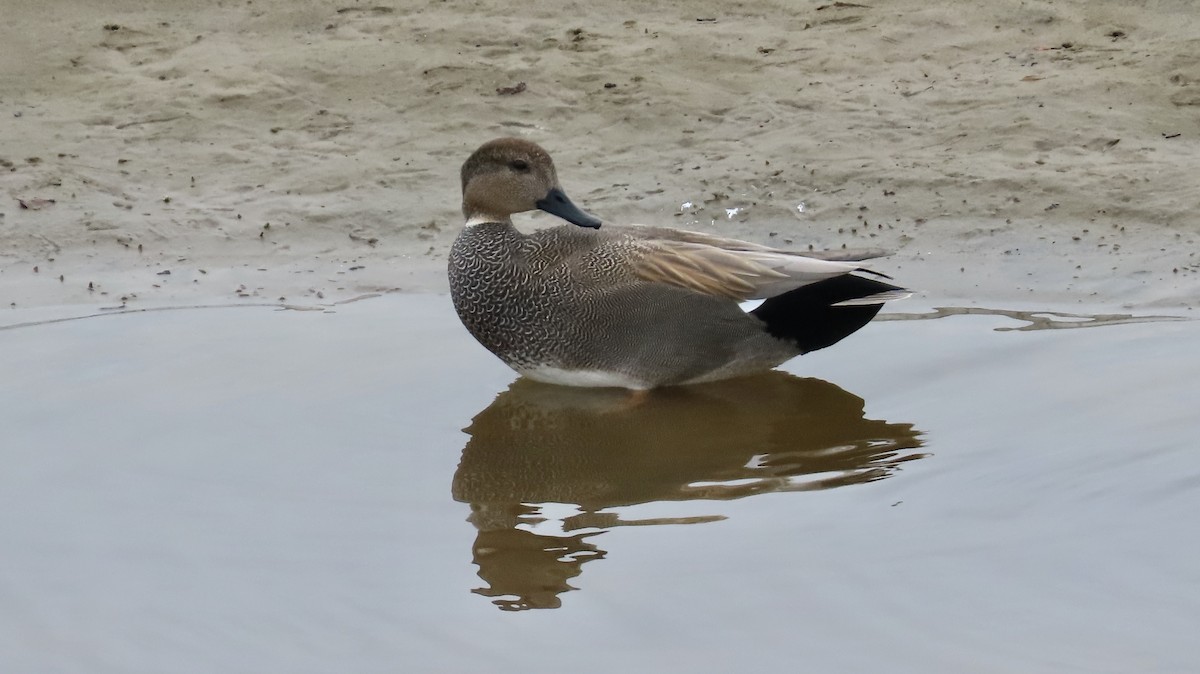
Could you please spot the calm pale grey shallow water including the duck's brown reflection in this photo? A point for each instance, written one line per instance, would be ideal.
(247, 490)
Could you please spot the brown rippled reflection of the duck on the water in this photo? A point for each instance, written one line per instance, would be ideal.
(547, 465)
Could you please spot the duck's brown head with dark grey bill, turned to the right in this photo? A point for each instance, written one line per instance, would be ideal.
(513, 176)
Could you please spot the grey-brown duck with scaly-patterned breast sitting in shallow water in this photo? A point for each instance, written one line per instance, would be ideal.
(639, 308)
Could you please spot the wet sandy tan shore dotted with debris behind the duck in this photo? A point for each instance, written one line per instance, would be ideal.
(309, 151)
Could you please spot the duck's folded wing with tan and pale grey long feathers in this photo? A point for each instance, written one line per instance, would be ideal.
(724, 268)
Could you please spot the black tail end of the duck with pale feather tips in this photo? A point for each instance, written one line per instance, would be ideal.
(824, 314)
